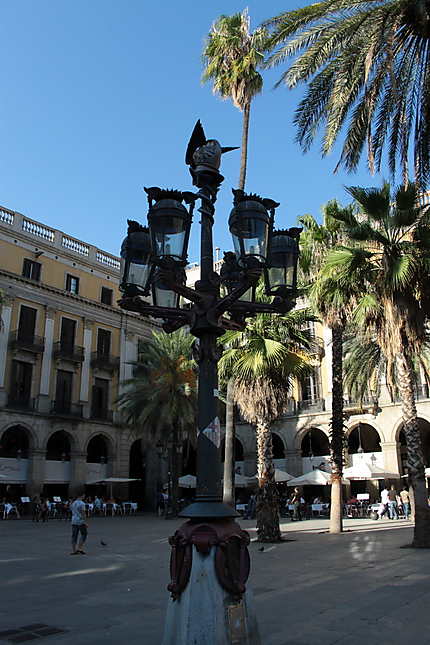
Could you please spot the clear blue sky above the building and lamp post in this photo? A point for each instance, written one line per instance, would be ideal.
(99, 99)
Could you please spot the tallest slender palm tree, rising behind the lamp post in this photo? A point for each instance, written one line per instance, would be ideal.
(231, 56)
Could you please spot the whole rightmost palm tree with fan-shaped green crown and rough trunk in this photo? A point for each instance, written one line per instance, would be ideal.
(389, 261)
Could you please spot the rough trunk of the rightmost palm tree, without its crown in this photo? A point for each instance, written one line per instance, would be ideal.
(414, 451)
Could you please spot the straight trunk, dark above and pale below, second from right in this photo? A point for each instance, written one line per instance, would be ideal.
(337, 434)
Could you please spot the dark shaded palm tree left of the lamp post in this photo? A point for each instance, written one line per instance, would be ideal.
(161, 398)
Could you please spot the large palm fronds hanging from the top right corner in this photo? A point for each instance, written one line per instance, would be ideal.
(367, 70)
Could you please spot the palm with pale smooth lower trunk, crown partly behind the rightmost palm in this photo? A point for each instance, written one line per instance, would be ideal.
(332, 304)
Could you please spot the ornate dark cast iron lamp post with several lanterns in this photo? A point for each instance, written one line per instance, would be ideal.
(154, 260)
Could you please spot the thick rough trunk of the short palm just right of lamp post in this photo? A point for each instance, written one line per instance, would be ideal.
(267, 501)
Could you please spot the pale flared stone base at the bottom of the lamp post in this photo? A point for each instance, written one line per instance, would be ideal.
(206, 614)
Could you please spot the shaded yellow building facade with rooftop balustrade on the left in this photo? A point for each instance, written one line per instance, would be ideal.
(65, 349)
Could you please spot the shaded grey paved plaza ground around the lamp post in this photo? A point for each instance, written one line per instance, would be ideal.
(359, 588)
